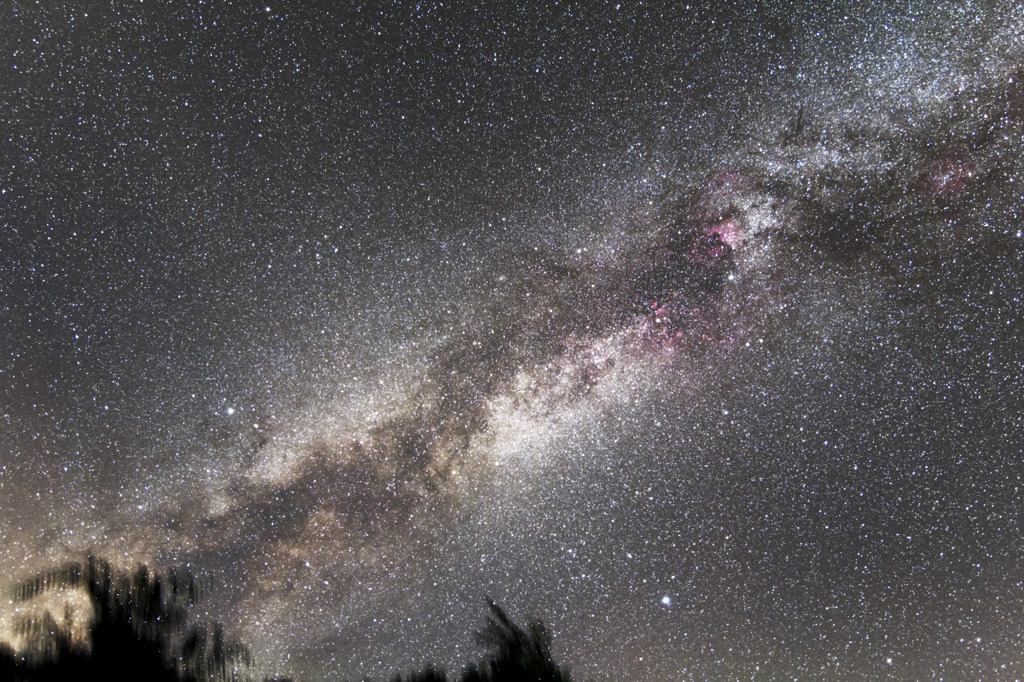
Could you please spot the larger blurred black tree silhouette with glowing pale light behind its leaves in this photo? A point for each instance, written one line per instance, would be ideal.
(139, 630)
